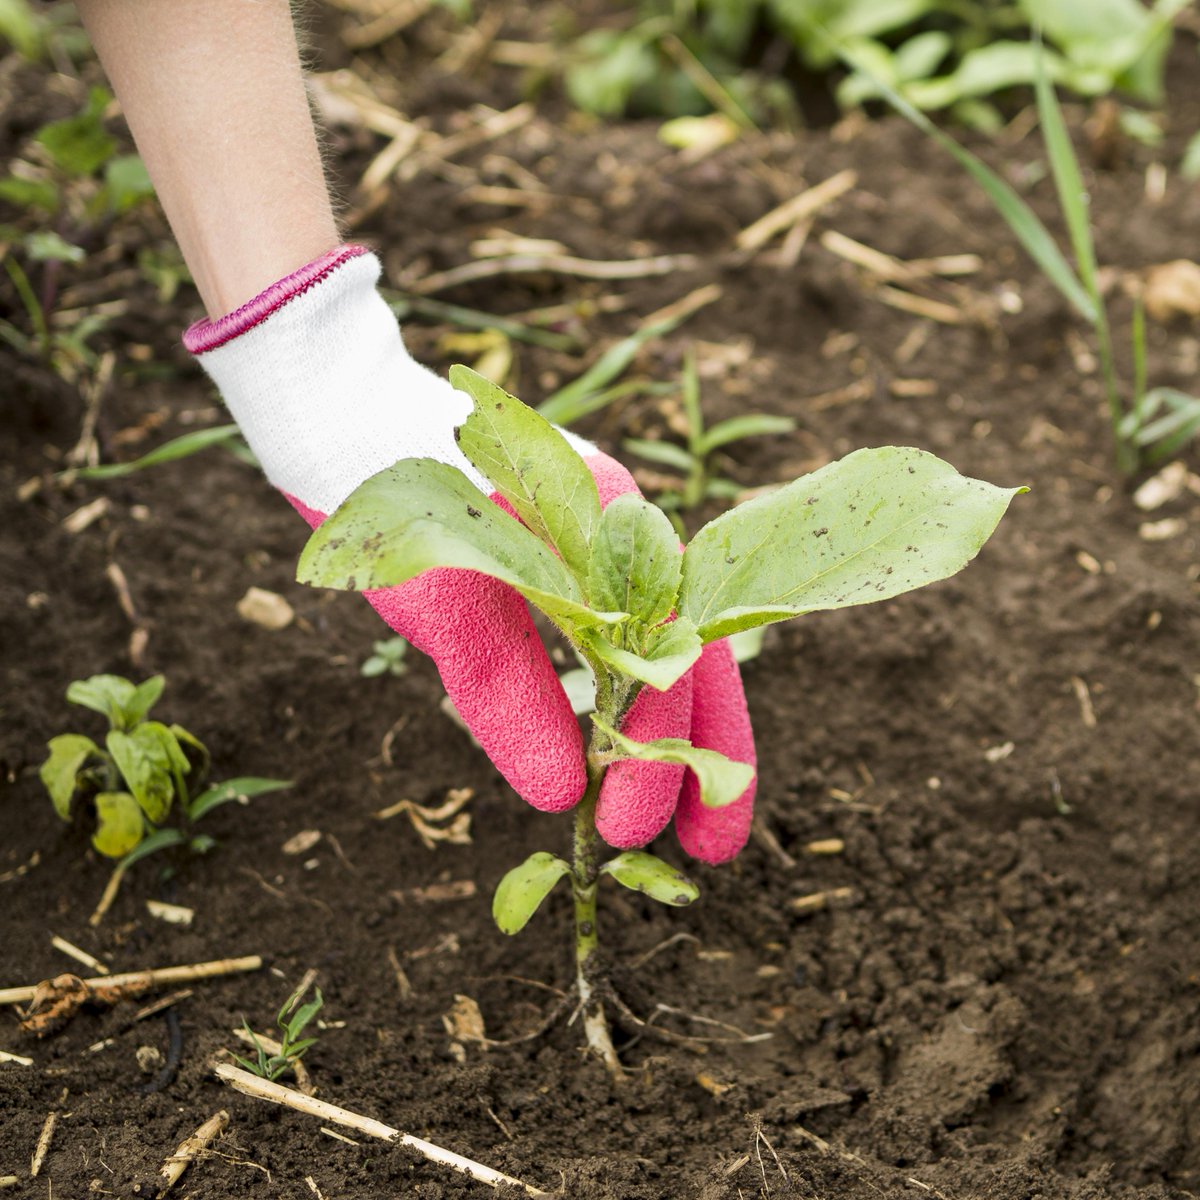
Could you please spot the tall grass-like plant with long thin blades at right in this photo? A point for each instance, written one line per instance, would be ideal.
(1148, 424)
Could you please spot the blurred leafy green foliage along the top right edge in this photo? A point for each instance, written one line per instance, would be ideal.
(677, 59)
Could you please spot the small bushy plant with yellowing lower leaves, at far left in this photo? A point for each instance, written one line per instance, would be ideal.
(146, 776)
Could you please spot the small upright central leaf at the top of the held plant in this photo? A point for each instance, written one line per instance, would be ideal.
(635, 565)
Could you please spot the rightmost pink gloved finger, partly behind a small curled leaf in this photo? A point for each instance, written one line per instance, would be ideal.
(719, 722)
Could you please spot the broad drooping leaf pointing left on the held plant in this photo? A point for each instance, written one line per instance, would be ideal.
(422, 514)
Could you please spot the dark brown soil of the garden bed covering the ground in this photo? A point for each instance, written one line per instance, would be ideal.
(1005, 1001)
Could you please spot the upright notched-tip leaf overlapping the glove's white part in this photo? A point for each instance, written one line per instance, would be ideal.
(532, 466)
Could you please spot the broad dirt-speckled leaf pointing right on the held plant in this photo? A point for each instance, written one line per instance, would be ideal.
(868, 527)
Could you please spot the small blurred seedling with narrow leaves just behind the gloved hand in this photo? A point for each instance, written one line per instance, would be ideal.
(700, 482)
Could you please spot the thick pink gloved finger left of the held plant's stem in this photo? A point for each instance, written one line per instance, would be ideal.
(497, 674)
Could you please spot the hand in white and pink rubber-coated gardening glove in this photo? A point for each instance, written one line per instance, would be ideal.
(317, 376)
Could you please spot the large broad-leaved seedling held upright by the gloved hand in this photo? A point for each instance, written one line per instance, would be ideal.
(637, 610)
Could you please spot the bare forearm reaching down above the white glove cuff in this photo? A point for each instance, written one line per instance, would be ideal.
(214, 95)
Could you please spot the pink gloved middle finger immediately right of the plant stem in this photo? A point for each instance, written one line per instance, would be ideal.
(638, 799)
